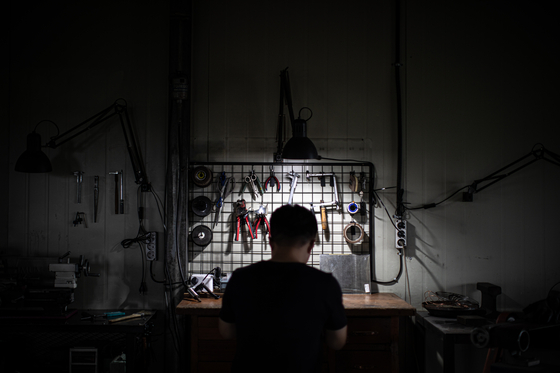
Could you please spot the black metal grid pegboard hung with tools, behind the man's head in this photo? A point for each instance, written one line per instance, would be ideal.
(224, 251)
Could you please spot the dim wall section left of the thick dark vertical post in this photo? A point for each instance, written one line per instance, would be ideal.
(67, 62)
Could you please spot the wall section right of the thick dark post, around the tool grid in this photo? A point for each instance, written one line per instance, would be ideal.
(479, 83)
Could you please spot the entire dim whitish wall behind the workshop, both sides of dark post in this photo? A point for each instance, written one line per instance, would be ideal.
(480, 84)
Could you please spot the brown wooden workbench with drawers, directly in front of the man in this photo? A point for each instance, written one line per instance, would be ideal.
(373, 343)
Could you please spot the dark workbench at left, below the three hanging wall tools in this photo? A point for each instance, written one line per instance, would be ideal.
(42, 343)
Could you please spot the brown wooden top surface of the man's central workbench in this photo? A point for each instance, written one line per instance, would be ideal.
(378, 304)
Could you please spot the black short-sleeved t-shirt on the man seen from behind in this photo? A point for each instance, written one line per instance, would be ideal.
(280, 311)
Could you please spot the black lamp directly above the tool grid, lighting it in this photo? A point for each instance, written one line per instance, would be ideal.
(299, 146)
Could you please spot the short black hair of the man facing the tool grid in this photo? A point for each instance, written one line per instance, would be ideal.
(292, 225)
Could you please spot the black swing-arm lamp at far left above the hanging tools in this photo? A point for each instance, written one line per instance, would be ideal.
(33, 160)
